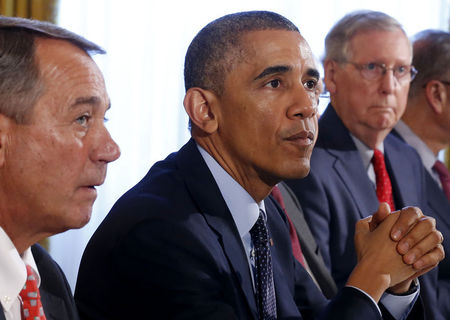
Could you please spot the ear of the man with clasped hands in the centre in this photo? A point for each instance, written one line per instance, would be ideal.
(201, 106)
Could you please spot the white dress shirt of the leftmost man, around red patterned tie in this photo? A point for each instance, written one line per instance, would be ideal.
(13, 275)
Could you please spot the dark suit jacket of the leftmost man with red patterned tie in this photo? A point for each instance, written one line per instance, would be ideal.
(56, 295)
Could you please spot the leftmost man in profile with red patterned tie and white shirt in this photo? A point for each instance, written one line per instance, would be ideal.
(54, 150)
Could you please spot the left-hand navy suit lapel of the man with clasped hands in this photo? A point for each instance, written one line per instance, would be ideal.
(209, 200)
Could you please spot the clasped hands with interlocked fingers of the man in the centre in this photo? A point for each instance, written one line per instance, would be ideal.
(394, 248)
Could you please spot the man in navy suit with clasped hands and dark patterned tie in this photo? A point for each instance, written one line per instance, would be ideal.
(198, 238)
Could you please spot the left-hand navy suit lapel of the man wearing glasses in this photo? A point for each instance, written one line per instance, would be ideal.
(335, 137)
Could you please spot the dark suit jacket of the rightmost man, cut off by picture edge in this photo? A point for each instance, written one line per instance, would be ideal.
(439, 208)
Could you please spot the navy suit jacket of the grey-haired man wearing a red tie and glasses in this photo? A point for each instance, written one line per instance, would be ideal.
(337, 193)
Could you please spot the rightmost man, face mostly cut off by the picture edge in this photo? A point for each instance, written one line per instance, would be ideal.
(425, 126)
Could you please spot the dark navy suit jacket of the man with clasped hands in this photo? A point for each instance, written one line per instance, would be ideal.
(169, 249)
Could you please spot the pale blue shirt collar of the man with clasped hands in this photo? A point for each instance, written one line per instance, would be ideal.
(244, 209)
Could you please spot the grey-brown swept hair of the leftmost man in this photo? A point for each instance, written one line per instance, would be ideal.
(20, 82)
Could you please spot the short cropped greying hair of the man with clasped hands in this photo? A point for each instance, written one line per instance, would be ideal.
(212, 52)
